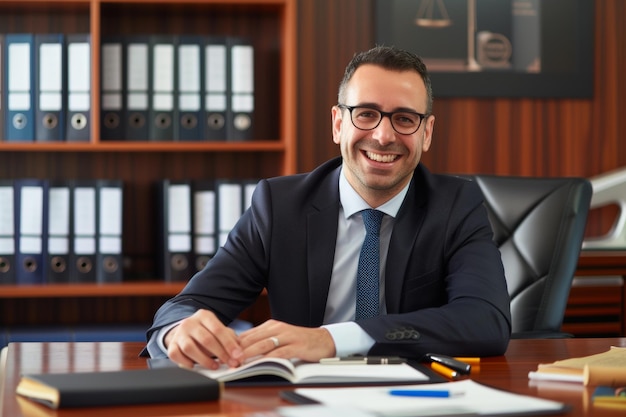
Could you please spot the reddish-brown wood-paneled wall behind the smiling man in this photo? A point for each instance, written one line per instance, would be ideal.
(530, 137)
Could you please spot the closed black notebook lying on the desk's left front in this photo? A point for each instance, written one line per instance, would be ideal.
(143, 386)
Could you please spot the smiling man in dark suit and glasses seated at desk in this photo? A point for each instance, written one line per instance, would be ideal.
(442, 287)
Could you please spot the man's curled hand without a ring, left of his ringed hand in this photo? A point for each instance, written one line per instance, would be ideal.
(202, 338)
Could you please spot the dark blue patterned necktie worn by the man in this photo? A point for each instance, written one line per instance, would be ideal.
(369, 266)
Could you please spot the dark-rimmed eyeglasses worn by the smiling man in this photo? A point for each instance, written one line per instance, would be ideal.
(367, 118)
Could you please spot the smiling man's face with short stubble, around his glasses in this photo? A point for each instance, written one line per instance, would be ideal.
(378, 163)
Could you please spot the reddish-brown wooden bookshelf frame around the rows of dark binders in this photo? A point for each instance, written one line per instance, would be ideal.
(270, 26)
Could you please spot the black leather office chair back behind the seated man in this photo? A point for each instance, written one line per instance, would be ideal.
(539, 225)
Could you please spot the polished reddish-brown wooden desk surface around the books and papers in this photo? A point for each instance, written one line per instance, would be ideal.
(508, 372)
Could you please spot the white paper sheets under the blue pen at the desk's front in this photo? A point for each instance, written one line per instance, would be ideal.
(465, 397)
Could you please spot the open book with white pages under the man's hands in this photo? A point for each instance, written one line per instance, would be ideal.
(305, 373)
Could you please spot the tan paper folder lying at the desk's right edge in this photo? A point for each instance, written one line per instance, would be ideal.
(607, 368)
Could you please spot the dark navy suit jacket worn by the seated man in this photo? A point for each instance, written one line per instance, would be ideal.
(445, 287)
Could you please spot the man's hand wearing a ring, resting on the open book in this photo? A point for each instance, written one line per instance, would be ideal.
(278, 339)
